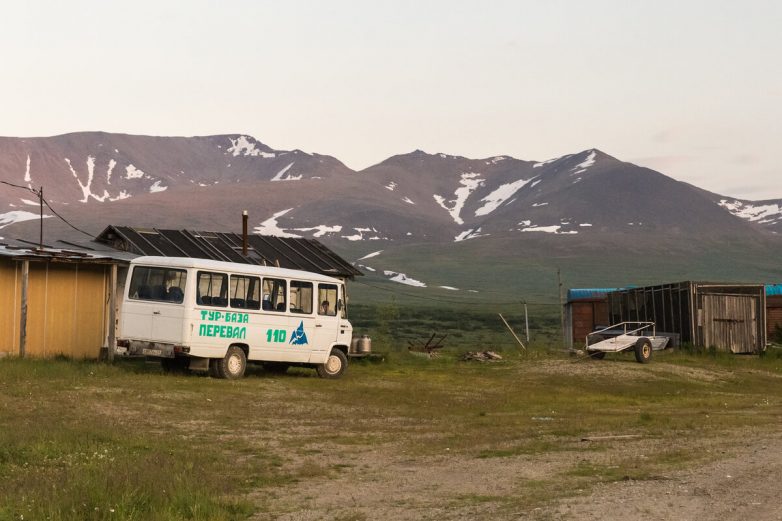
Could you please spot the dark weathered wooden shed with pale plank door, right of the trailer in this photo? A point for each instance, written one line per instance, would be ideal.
(729, 317)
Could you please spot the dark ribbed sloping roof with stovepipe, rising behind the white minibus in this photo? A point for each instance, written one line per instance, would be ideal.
(291, 253)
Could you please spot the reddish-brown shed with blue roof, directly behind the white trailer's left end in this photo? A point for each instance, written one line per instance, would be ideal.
(585, 310)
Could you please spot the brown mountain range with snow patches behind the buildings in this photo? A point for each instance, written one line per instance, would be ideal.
(587, 201)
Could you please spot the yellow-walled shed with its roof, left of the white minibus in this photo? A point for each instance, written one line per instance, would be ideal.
(56, 302)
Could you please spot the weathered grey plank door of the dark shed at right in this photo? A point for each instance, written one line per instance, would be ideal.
(730, 323)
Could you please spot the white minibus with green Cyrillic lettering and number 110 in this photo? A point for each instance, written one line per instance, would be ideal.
(211, 315)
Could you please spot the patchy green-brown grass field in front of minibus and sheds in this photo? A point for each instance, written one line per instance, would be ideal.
(397, 438)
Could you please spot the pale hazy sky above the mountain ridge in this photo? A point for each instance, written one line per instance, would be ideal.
(690, 88)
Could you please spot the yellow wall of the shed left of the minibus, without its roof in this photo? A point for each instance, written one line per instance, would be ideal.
(67, 308)
